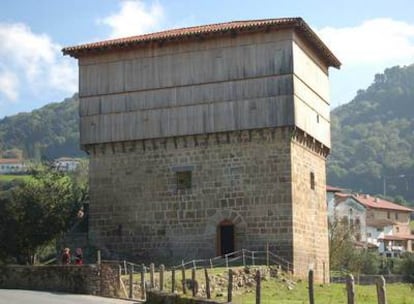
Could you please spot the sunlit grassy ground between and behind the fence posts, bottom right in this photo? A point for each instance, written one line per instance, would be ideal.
(277, 290)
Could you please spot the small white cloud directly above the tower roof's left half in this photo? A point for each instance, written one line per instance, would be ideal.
(134, 18)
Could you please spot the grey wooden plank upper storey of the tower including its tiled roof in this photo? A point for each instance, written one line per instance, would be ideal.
(209, 79)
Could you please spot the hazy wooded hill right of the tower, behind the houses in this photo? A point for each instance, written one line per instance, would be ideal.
(373, 137)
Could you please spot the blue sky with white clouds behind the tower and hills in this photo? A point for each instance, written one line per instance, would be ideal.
(367, 36)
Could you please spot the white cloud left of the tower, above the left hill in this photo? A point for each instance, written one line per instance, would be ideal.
(32, 63)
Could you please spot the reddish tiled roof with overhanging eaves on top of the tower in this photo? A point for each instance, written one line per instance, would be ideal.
(211, 30)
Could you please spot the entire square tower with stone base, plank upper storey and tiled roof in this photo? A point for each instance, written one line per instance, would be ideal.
(207, 140)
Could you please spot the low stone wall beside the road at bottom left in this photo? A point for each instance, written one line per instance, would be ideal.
(101, 280)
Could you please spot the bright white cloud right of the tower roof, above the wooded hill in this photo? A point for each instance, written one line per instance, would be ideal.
(376, 41)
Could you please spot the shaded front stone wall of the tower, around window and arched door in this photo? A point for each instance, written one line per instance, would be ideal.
(244, 177)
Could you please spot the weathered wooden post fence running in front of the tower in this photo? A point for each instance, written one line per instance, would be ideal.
(190, 285)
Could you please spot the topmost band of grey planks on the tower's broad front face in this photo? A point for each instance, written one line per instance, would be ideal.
(186, 69)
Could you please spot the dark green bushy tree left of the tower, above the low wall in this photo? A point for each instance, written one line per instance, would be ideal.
(36, 212)
